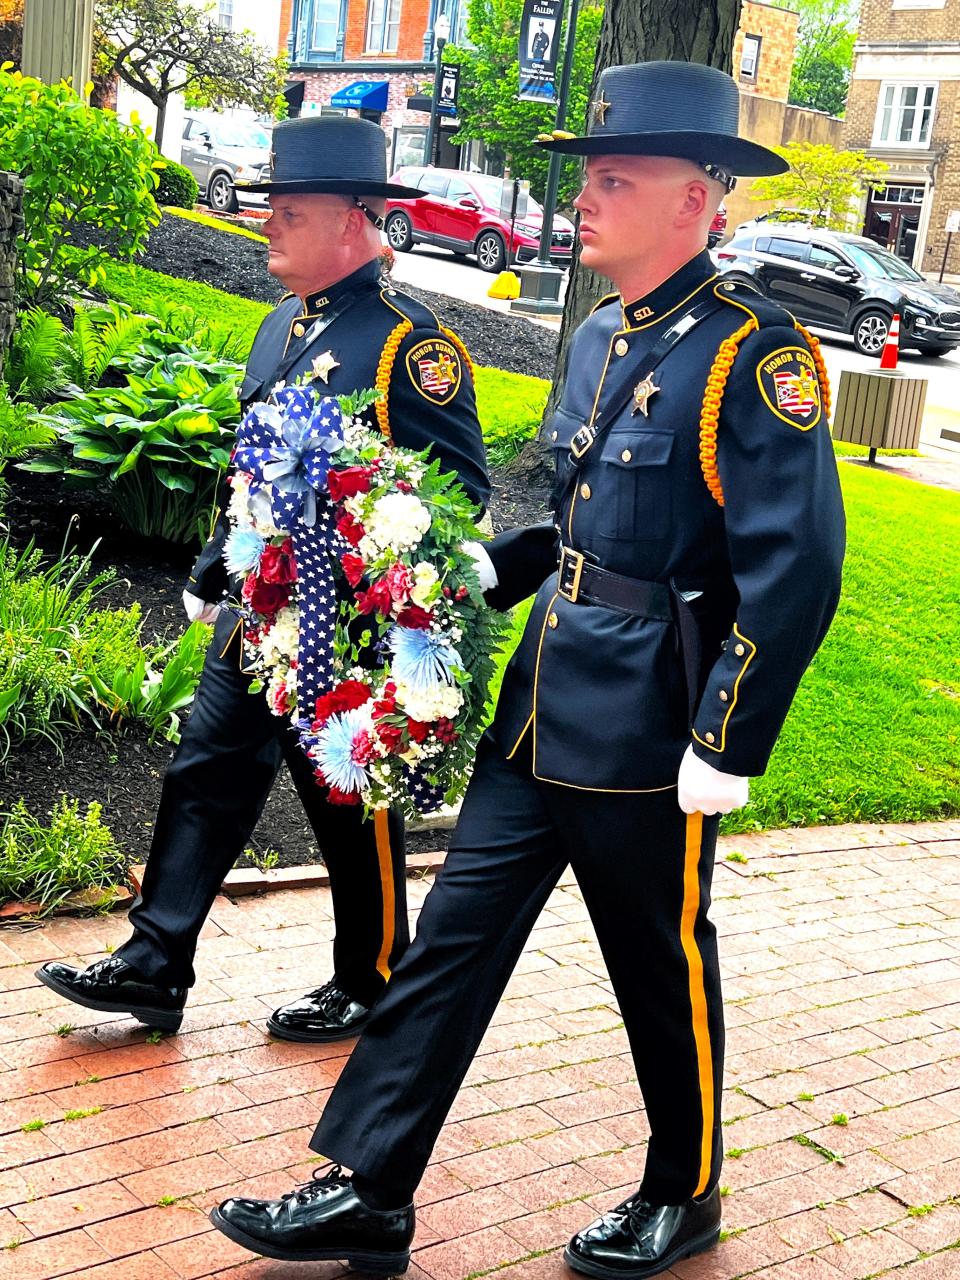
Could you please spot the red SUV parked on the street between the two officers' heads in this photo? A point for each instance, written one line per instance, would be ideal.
(463, 212)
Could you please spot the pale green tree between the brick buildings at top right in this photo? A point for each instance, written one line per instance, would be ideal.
(825, 53)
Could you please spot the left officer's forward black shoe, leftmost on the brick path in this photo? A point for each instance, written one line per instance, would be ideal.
(116, 988)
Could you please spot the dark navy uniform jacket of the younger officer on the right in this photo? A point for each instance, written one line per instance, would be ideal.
(602, 692)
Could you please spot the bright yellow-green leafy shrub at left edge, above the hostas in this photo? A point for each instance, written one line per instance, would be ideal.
(84, 172)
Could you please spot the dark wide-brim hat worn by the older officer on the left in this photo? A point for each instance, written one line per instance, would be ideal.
(335, 156)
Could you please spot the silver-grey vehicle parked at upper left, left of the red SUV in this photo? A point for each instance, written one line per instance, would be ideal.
(220, 150)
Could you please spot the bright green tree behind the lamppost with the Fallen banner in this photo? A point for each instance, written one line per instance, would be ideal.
(490, 108)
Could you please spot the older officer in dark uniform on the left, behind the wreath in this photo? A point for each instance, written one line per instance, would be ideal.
(344, 327)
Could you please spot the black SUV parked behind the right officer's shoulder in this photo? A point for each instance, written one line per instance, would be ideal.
(835, 281)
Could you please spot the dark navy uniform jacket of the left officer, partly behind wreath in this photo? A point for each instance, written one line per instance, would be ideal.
(356, 335)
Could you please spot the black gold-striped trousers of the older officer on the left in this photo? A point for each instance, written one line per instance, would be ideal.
(213, 794)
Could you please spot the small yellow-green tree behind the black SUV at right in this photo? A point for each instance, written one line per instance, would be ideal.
(822, 181)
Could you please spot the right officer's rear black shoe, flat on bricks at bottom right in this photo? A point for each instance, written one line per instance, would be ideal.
(638, 1240)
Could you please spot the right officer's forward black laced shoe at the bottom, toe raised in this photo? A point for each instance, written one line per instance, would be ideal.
(324, 1220)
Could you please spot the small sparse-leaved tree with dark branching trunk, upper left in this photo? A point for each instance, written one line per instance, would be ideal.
(162, 48)
